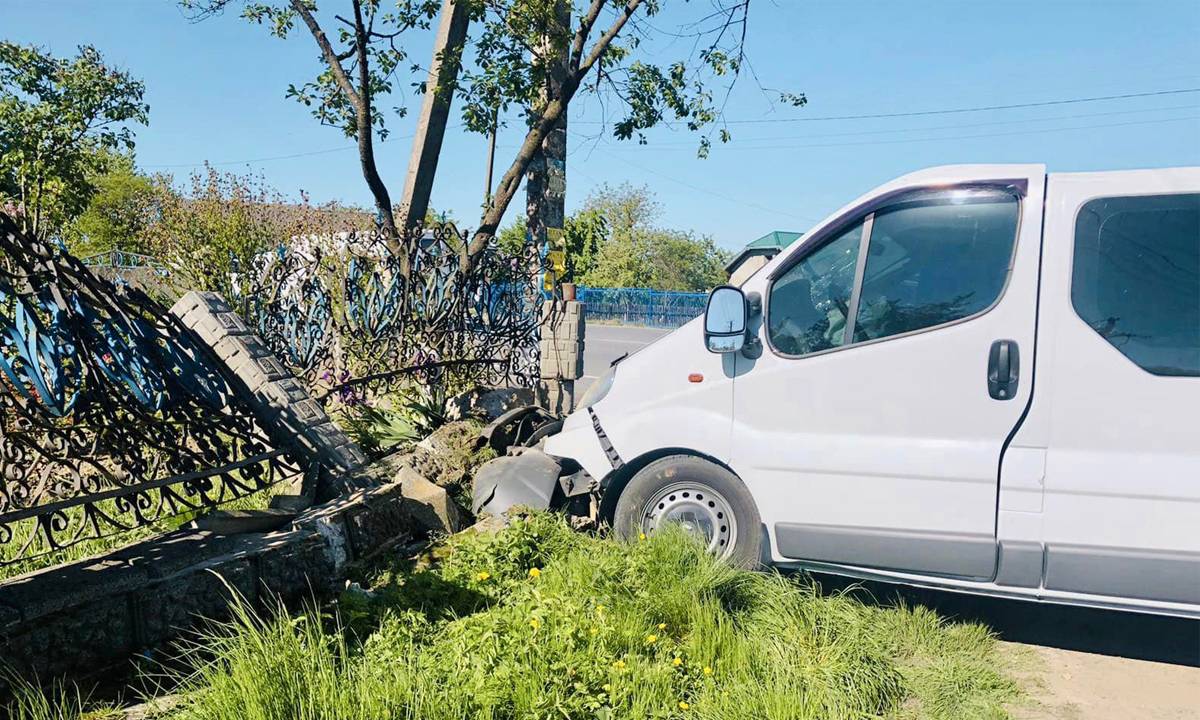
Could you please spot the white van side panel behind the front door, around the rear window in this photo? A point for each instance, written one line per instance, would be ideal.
(1121, 513)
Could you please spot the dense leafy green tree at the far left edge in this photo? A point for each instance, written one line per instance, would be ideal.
(61, 122)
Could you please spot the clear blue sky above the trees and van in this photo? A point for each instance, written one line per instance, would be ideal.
(217, 93)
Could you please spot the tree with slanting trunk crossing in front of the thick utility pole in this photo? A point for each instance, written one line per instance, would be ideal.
(515, 62)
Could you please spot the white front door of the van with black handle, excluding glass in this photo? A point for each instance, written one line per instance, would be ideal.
(887, 454)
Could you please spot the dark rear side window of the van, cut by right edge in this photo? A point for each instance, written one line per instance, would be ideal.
(1137, 279)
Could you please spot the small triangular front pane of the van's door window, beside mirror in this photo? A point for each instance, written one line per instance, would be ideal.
(808, 307)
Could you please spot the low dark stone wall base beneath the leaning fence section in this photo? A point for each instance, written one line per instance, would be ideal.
(82, 620)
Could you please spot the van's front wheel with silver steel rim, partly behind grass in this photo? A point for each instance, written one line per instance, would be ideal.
(709, 501)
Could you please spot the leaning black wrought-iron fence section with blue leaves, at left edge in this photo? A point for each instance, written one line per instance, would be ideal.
(115, 416)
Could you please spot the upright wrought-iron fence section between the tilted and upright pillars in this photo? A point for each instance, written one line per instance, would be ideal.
(350, 314)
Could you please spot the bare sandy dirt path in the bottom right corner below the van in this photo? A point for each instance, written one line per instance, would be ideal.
(1070, 686)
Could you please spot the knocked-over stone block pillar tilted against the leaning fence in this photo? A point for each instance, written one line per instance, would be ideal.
(281, 404)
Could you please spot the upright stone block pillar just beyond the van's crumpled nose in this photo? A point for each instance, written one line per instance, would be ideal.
(562, 355)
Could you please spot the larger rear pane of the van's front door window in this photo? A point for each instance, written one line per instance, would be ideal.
(935, 260)
